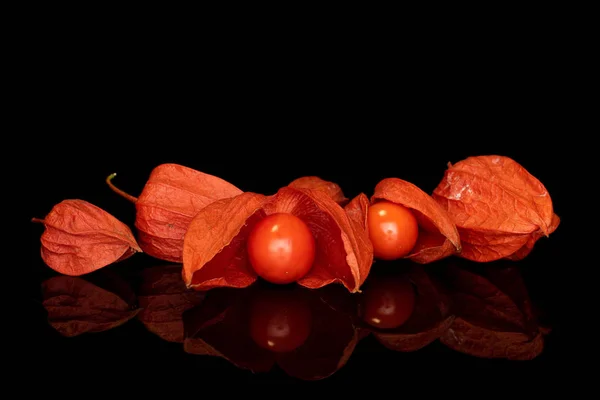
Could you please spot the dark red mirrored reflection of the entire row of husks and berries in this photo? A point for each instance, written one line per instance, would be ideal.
(480, 310)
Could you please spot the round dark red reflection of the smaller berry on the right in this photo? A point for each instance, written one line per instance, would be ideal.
(388, 302)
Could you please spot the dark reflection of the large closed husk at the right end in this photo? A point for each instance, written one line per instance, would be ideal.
(494, 315)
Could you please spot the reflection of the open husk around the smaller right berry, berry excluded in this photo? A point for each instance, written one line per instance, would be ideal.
(428, 321)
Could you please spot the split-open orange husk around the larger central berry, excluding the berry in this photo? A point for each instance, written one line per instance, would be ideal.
(215, 245)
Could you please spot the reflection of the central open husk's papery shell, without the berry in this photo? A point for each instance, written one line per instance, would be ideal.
(220, 327)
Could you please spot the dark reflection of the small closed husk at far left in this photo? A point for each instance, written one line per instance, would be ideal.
(98, 303)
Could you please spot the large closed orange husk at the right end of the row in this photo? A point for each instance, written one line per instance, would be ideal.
(499, 208)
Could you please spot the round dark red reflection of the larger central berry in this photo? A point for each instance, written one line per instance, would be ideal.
(280, 320)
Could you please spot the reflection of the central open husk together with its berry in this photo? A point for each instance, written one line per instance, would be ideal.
(265, 325)
